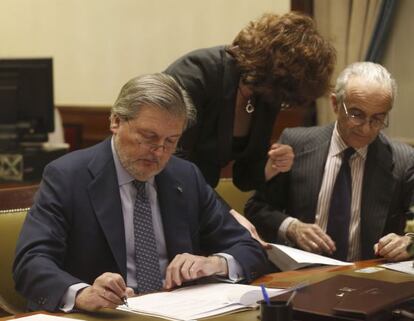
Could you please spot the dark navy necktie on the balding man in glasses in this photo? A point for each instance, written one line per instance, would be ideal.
(340, 207)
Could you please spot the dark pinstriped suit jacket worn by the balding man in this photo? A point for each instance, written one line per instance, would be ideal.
(386, 193)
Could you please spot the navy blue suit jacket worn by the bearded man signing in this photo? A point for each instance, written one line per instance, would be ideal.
(75, 230)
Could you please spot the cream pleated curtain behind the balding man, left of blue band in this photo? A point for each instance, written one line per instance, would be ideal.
(348, 24)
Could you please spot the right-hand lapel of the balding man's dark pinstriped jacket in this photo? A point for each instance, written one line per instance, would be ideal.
(377, 187)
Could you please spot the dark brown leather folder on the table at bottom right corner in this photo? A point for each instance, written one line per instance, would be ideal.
(345, 297)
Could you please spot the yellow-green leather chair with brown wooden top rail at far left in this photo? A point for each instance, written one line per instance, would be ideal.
(14, 204)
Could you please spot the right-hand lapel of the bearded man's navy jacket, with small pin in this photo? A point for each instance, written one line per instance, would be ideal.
(172, 199)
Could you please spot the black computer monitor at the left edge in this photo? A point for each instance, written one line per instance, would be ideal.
(26, 101)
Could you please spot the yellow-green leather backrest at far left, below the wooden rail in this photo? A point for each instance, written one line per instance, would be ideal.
(10, 225)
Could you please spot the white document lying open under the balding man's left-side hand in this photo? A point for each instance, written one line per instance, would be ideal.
(289, 258)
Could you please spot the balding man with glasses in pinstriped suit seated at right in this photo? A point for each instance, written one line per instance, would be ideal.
(297, 207)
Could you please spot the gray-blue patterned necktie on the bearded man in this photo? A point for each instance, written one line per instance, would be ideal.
(147, 265)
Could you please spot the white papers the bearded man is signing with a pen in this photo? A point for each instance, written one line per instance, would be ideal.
(198, 301)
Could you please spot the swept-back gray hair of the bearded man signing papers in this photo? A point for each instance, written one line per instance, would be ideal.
(159, 90)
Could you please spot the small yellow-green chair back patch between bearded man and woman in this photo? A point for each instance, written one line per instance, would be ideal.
(232, 195)
